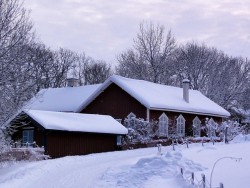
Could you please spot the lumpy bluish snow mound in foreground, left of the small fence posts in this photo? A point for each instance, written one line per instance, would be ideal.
(147, 170)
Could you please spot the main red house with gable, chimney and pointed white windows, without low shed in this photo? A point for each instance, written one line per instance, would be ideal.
(170, 106)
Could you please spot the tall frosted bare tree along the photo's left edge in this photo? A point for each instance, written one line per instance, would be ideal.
(15, 33)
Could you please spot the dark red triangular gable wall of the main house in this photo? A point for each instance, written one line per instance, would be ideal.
(115, 102)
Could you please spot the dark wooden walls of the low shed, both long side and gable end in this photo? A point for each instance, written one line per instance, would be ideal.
(66, 143)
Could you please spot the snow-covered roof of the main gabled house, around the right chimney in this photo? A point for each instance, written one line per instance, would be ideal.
(162, 97)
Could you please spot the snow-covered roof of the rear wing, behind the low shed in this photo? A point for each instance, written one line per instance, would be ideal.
(66, 99)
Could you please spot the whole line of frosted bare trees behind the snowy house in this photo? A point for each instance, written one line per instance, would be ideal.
(27, 65)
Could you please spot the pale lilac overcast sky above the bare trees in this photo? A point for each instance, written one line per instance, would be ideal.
(104, 28)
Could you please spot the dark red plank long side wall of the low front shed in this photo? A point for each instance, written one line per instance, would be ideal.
(61, 143)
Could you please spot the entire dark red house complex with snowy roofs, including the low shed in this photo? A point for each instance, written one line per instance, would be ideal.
(179, 109)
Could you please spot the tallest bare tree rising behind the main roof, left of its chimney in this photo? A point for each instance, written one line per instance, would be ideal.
(151, 57)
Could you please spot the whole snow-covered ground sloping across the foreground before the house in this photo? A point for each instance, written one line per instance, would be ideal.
(142, 168)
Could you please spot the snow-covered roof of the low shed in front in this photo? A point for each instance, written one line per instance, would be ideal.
(65, 121)
